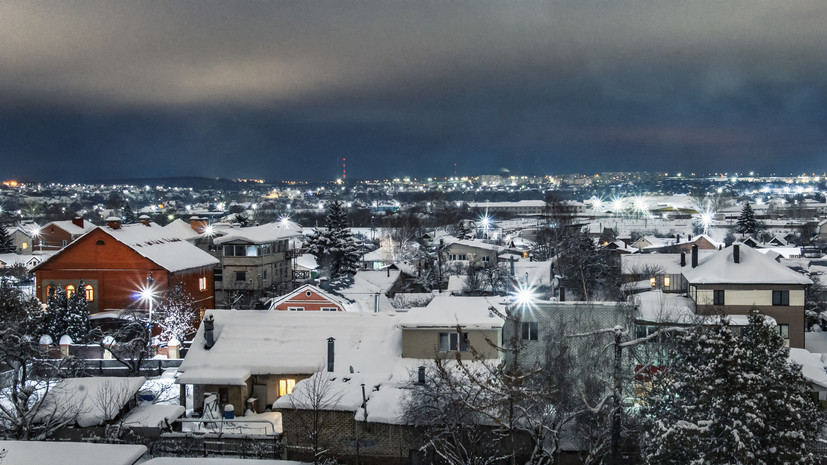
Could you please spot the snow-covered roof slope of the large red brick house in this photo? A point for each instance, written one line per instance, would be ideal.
(156, 244)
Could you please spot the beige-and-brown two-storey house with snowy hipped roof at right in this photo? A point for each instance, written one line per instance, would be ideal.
(735, 280)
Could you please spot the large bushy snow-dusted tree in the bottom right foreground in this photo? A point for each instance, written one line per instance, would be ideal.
(729, 399)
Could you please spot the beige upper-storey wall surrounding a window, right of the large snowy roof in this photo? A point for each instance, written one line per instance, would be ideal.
(424, 343)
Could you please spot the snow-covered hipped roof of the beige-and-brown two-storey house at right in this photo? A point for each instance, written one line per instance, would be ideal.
(753, 268)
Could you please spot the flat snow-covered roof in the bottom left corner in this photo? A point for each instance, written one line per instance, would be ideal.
(70, 453)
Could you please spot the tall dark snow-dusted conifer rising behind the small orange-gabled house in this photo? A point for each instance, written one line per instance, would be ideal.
(335, 248)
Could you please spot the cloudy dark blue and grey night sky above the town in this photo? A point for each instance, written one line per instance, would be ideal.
(283, 89)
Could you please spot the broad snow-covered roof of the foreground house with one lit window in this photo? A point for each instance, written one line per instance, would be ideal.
(267, 342)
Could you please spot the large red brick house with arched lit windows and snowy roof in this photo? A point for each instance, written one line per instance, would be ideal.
(114, 262)
